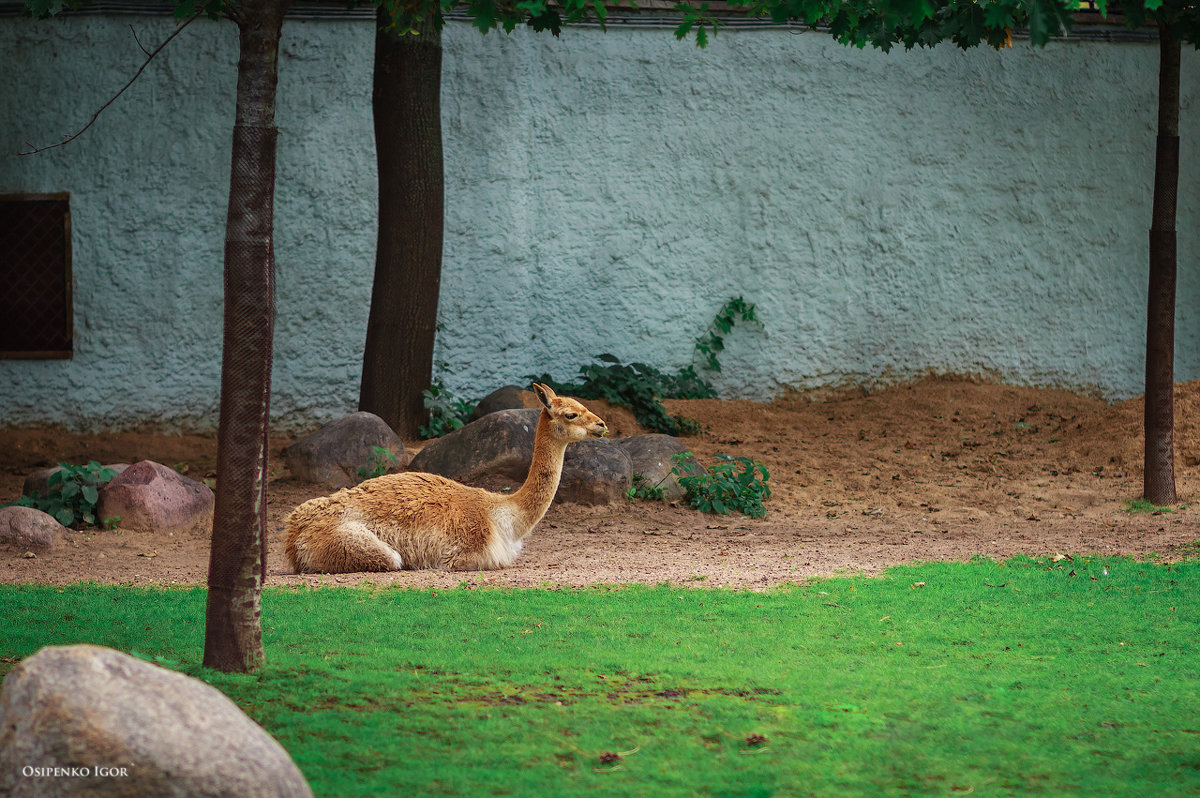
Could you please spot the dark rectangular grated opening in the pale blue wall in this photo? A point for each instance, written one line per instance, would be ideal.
(35, 275)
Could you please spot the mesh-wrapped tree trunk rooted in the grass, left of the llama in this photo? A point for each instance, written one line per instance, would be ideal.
(233, 639)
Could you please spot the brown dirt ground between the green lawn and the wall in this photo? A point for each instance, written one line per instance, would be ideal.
(946, 469)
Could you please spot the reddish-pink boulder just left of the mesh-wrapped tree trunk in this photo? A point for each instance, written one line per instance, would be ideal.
(149, 496)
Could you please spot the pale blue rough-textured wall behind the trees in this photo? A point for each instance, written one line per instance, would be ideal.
(890, 215)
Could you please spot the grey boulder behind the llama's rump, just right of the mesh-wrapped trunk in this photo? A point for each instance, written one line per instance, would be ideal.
(334, 455)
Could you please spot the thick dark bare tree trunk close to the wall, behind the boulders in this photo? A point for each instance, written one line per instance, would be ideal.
(398, 362)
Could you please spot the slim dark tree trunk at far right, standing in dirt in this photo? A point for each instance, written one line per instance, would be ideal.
(1160, 422)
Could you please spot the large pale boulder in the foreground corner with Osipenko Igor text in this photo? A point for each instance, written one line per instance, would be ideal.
(91, 721)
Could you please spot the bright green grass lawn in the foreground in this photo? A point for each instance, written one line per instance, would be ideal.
(1029, 677)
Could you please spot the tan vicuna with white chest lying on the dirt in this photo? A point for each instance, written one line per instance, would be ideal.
(424, 521)
